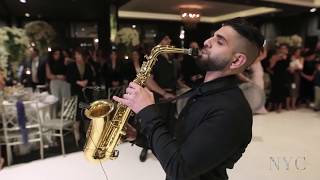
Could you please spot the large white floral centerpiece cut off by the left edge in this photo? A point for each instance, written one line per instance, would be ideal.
(13, 43)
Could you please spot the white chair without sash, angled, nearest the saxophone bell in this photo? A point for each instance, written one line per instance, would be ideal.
(59, 127)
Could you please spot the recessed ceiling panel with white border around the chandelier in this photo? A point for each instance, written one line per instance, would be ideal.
(211, 11)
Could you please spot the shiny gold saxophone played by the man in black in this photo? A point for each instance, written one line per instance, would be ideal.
(104, 134)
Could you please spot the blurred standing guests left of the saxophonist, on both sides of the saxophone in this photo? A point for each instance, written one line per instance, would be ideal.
(67, 73)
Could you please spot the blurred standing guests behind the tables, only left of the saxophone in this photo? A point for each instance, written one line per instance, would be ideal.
(67, 73)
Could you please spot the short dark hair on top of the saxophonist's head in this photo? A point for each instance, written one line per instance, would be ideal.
(247, 30)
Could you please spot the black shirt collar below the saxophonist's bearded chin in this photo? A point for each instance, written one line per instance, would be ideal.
(216, 85)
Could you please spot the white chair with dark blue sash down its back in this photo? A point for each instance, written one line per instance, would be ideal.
(11, 129)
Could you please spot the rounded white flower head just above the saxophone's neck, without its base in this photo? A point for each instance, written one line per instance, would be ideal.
(128, 37)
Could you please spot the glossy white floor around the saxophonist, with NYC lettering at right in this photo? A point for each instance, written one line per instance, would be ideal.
(285, 147)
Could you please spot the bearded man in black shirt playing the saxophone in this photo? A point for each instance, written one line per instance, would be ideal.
(215, 126)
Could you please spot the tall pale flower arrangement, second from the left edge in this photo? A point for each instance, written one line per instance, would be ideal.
(41, 35)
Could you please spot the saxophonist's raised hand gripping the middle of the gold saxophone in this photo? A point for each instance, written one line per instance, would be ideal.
(136, 97)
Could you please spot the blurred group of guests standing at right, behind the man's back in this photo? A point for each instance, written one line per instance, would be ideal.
(292, 78)
